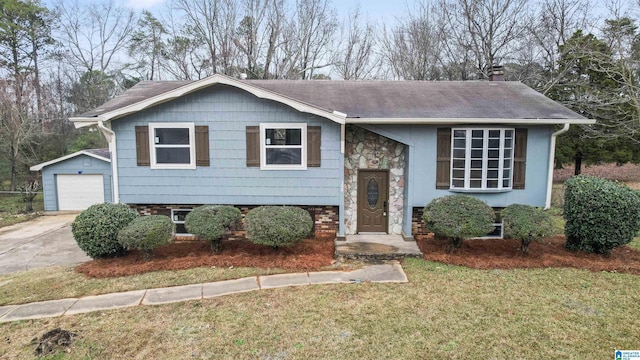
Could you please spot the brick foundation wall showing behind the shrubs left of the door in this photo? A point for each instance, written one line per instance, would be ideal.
(325, 218)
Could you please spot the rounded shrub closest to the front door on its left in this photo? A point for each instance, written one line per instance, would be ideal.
(277, 226)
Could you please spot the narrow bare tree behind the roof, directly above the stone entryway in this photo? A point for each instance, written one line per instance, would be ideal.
(355, 58)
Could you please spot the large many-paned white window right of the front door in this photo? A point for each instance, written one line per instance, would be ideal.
(482, 159)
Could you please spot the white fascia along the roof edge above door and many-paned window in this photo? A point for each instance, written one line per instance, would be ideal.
(484, 121)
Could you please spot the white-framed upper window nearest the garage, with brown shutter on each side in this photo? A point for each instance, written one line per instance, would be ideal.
(172, 145)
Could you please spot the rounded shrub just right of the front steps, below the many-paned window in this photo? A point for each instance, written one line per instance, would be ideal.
(457, 217)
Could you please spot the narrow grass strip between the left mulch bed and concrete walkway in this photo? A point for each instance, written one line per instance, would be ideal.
(63, 282)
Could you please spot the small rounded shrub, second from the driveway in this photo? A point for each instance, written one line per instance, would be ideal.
(146, 233)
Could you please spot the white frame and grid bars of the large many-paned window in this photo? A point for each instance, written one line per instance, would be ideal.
(485, 159)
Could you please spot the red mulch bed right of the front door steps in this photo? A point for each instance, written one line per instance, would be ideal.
(503, 254)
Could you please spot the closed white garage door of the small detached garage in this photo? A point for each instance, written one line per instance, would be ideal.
(78, 192)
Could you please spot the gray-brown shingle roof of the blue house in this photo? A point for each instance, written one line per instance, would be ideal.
(391, 99)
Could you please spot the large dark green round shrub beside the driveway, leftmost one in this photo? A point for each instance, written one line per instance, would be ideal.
(96, 229)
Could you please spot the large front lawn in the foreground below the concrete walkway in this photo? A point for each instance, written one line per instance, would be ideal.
(444, 312)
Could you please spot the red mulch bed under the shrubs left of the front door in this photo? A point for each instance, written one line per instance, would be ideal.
(307, 255)
